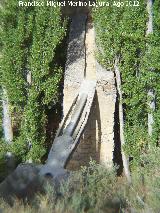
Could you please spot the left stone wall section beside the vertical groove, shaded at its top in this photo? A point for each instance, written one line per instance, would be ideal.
(75, 64)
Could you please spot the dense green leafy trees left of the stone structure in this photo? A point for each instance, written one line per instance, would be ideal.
(30, 73)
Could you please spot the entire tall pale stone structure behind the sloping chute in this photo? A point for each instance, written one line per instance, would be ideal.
(97, 141)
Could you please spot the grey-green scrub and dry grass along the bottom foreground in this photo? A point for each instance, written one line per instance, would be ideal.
(95, 189)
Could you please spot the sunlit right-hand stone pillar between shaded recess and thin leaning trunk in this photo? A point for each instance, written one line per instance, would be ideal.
(106, 92)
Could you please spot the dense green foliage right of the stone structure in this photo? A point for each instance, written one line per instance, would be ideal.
(121, 36)
